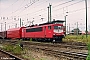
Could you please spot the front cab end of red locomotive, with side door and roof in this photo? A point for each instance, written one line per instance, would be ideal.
(57, 29)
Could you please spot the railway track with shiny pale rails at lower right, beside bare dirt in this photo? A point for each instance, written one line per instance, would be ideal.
(59, 53)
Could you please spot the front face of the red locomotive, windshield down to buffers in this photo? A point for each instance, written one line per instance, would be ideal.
(58, 33)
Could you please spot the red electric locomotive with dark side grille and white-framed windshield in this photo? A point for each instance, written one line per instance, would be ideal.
(52, 31)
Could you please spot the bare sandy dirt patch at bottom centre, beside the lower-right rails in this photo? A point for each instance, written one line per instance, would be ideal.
(40, 55)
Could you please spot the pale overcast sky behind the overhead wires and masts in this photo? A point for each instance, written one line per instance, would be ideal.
(29, 10)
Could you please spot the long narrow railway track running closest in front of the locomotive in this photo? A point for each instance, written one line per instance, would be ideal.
(62, 45)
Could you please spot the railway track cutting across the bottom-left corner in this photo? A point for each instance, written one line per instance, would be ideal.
(8, 56)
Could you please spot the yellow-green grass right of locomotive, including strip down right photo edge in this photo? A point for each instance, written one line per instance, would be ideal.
(79, 38)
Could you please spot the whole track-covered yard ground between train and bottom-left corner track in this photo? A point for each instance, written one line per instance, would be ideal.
(46, 51)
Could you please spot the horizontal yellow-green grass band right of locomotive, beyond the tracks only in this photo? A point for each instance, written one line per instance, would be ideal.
(77, 38)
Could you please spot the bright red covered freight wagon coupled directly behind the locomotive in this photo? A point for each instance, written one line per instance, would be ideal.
(14, 33)
